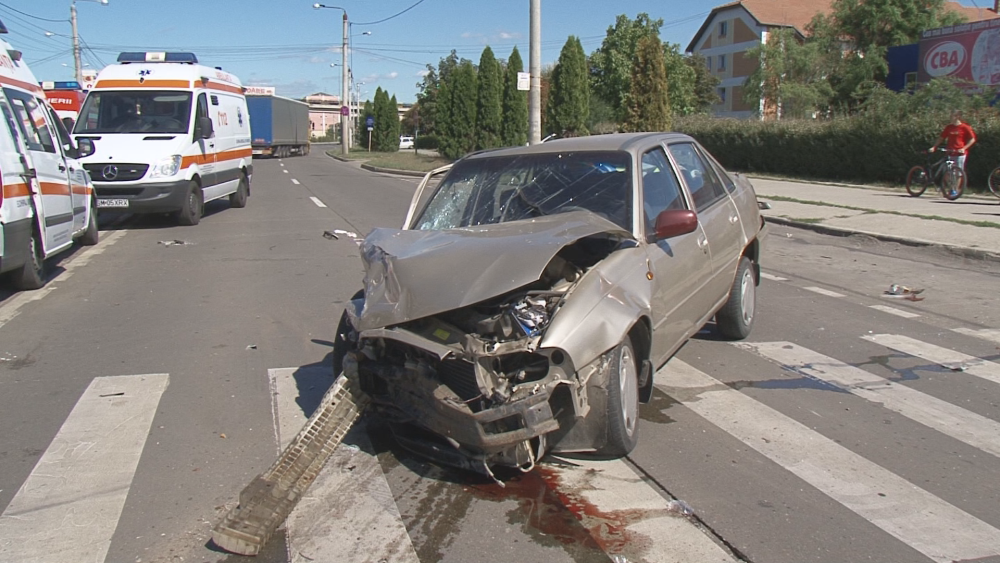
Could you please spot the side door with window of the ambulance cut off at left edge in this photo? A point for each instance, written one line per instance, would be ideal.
(50, 186)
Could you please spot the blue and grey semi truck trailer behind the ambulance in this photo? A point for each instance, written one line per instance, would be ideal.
(279, 126)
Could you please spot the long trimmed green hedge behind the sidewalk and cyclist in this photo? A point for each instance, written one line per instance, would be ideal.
(851, 149)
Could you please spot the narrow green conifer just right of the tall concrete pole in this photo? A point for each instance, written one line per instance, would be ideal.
(569, 98)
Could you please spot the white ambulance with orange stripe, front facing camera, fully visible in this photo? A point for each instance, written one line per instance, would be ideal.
(169, 135)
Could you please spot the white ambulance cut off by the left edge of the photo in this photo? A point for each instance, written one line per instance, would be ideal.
(46, 198)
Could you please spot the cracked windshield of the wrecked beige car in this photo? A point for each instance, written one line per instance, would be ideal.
(485, 191)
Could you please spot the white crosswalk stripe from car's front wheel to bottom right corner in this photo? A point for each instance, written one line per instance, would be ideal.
(919, 519)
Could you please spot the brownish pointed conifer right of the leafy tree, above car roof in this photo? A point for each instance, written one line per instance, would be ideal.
(648, 104)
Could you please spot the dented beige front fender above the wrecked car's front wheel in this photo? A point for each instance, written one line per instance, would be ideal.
(602, 307)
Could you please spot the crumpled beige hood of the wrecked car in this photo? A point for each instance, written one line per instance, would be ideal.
(414, 274)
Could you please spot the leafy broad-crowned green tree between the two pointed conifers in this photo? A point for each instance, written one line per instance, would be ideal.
(611, 63)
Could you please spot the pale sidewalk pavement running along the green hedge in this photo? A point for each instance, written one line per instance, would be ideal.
(969, 226)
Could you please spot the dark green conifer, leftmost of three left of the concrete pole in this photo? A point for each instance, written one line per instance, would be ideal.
(458, 137)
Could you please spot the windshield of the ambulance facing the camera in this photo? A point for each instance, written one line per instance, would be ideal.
(135, 112)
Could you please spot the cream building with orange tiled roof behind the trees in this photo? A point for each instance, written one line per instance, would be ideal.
(730, 30)
